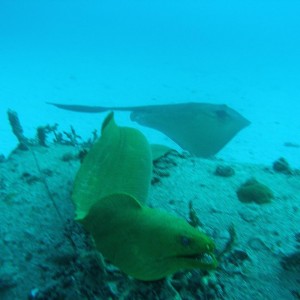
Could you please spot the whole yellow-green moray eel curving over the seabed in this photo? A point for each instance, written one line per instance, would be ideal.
(110, 191)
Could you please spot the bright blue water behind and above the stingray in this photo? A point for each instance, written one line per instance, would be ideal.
(241, 53)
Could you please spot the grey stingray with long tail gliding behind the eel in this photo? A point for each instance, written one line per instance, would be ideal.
(203, 129)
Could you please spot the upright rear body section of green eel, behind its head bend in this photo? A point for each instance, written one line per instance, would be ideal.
(119, 162)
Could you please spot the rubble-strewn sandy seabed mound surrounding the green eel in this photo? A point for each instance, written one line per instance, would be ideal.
(45, 254)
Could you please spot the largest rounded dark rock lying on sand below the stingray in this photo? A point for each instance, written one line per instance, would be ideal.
(254, 191)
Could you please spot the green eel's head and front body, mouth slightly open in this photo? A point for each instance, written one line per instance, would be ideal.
(146, 243)
